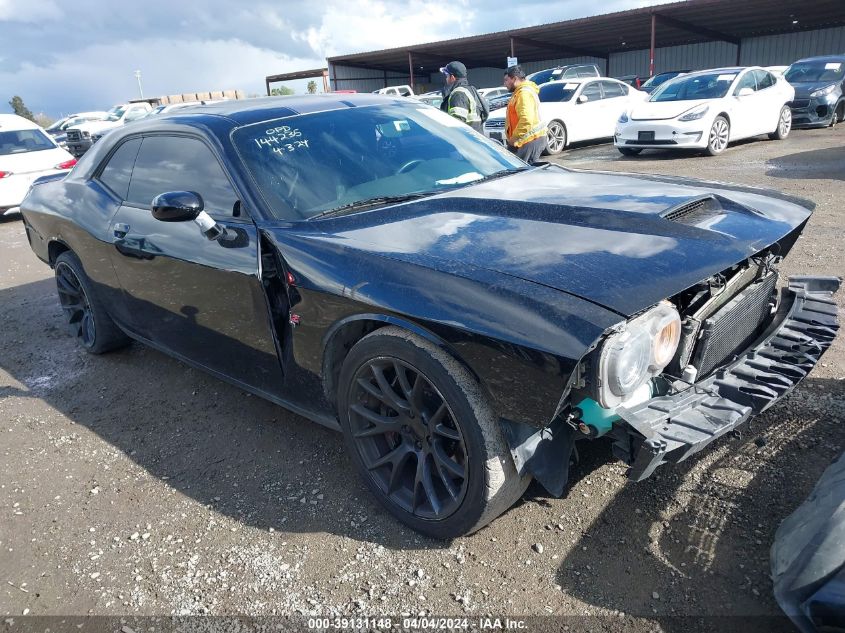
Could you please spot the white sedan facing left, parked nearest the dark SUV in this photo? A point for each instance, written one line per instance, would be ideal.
(707, 110)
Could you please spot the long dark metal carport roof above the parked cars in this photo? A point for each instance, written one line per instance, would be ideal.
(677, 23)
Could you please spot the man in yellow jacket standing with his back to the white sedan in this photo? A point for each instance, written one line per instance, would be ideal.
(524, 131)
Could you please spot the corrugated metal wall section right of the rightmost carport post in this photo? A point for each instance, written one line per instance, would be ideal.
(782, 50)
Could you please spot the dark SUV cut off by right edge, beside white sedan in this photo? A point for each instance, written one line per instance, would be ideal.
(819, 84)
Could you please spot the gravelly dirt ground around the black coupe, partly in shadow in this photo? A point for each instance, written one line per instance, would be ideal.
(131, 484)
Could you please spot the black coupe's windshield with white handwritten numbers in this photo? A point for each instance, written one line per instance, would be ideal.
(311, 164)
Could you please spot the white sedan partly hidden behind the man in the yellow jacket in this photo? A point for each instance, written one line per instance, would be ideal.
(582, 109)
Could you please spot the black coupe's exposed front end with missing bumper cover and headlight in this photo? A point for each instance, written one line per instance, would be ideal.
(670, 380)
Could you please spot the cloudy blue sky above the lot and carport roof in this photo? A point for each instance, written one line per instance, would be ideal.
(63, 56)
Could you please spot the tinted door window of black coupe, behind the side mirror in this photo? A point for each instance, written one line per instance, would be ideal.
(175, 163)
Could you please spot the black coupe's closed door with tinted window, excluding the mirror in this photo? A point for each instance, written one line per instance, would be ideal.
(197, 298)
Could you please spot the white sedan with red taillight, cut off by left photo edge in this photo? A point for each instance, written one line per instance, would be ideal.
(26, 152)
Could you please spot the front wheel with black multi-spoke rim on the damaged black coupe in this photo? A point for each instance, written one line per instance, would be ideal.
(423, 435)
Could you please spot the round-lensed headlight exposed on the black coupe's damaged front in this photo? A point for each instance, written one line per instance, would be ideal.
(640, 351)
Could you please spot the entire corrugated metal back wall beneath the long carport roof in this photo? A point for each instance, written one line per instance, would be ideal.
(770, 50)
